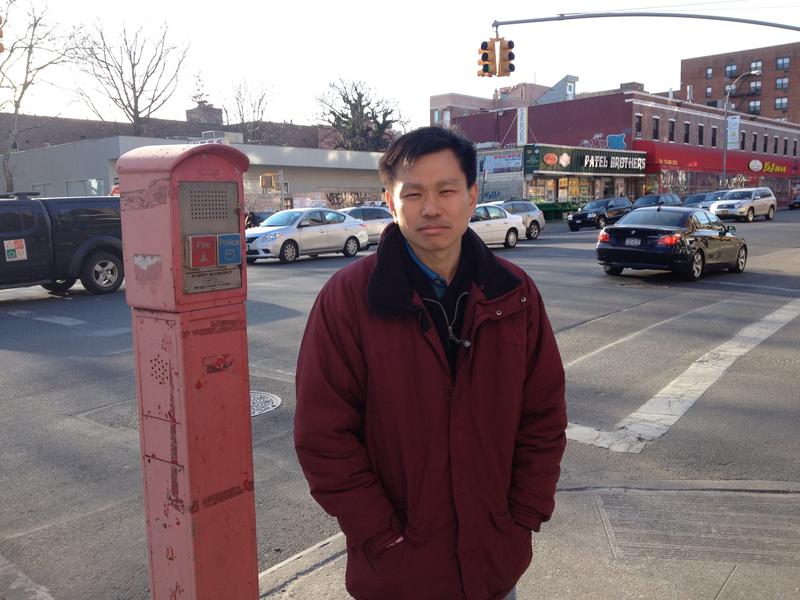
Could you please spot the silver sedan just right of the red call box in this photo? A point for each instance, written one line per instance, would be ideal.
(288, 234)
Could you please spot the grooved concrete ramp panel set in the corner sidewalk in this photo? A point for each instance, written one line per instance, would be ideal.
(716, 526)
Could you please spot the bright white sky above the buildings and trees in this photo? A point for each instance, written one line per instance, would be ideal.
(406, 51)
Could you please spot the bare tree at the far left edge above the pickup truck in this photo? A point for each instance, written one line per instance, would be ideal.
(35, 46)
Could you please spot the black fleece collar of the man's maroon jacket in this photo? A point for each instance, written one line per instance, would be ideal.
(390, 292)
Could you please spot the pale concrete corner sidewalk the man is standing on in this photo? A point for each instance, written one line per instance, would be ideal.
(678, 540)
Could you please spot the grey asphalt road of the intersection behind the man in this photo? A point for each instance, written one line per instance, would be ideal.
(71, 517)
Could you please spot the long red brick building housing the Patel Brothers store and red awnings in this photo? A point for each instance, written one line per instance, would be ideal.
(682, 142)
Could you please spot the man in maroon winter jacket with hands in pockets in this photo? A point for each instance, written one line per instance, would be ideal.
(430, 394)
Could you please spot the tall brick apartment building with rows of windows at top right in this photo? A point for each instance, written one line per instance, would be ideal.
(775, 93)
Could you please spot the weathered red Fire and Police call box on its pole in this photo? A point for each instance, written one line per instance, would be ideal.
(182, 224)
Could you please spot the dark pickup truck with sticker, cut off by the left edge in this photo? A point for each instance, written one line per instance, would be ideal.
(53, 242)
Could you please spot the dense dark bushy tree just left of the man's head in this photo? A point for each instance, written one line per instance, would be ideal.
(360, 120)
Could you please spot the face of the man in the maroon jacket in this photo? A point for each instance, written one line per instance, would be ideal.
(432, 203)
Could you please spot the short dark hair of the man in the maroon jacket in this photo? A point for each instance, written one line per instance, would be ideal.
(427, 140)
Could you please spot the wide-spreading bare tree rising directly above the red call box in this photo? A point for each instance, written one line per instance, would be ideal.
(139, 75)
